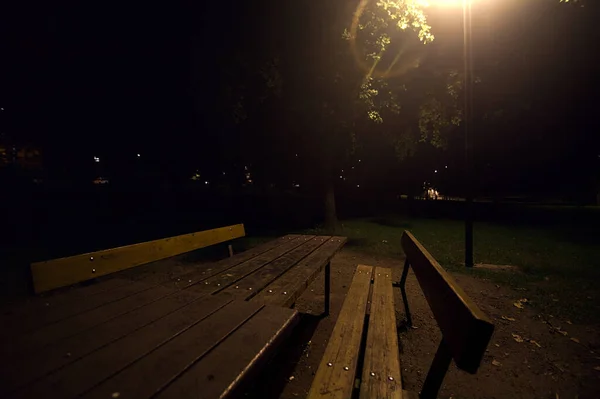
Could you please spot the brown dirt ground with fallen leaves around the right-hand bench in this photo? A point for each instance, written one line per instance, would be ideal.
(532, 356)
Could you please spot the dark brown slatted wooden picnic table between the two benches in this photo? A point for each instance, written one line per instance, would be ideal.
(202, 334)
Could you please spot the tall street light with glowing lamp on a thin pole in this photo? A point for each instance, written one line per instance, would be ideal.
(468, 121)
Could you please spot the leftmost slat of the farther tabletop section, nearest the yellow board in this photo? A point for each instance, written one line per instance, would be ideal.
(207, 271)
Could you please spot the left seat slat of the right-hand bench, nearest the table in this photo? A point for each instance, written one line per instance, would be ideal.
(335, 376)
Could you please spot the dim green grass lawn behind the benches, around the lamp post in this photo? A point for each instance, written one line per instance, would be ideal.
(559, 265)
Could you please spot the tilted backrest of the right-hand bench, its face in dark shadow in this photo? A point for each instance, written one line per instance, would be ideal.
(466, 330)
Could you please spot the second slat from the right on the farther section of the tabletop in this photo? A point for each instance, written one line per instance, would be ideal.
(250, 285)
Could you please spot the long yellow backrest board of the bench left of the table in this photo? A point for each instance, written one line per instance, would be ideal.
(61, 272)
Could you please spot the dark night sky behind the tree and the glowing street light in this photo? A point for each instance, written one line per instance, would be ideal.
(114, 80)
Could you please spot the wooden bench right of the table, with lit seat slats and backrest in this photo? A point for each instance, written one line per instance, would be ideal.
(364, 343)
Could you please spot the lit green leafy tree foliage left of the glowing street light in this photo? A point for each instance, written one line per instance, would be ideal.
(382, 38)
